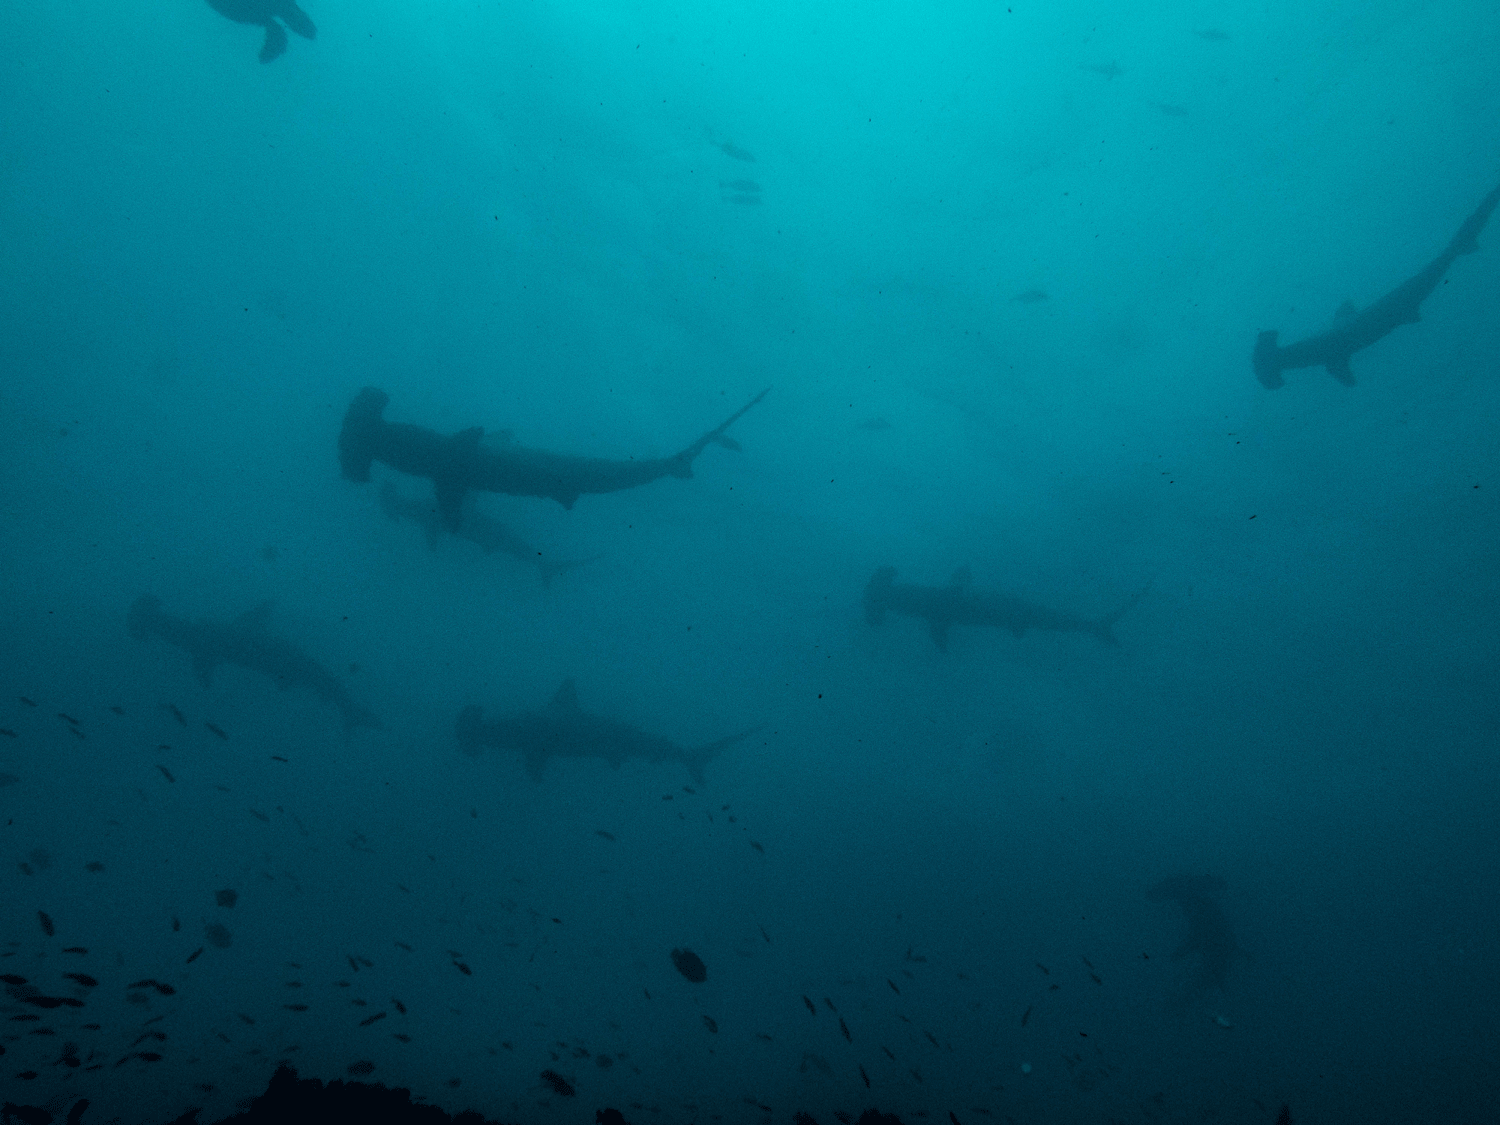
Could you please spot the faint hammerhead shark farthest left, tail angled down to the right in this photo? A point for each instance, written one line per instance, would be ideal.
(247, 644)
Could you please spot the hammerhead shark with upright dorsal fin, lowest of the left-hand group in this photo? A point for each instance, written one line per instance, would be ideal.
(563, 730)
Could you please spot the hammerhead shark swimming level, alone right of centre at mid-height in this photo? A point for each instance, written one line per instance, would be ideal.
(961, 605)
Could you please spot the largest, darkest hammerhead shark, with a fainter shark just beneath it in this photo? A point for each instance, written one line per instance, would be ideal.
(458, 463)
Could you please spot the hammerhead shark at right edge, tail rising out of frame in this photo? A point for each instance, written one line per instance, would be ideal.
(1355, 331)
